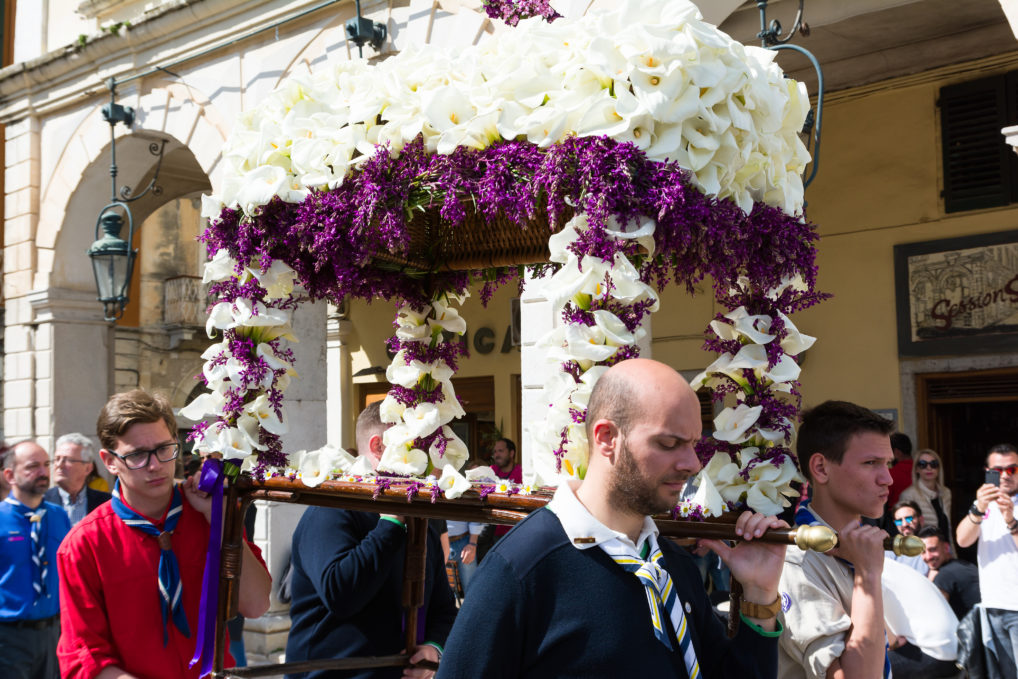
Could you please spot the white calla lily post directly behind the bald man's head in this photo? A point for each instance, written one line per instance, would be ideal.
(556, 428)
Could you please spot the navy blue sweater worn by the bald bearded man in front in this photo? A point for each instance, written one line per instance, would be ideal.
(539, 607)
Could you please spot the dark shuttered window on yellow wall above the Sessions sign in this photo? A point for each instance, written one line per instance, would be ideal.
(981, 169)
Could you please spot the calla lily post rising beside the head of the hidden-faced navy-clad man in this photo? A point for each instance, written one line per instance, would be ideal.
(422, 402)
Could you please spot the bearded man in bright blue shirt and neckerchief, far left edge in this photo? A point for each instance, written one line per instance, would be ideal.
(31, 531)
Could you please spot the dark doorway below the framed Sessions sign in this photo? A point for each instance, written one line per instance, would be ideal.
(962, 416)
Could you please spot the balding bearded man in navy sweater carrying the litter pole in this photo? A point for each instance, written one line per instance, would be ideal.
(585, 588)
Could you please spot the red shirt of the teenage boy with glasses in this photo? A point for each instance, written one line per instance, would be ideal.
(109, 597)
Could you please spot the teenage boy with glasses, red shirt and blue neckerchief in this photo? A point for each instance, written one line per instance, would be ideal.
(131, 573)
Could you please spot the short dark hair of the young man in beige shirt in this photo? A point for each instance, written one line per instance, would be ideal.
(827, 429)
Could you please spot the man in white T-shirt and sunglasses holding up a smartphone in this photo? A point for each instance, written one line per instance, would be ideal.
(991, 522)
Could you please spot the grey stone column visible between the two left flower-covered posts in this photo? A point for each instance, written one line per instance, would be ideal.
(265, 638)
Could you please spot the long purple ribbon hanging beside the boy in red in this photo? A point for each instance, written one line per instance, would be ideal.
(205, 649)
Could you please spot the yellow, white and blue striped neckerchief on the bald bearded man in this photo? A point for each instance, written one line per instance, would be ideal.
(661, 597)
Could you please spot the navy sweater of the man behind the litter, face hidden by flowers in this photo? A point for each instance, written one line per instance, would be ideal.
(348, 586)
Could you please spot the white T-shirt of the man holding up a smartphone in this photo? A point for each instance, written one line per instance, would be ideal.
(998, 562)
